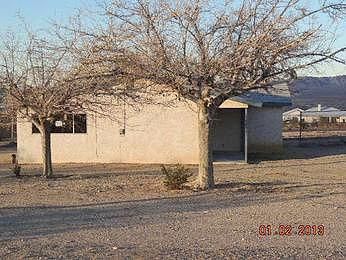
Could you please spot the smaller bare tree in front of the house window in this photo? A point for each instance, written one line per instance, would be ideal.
(43, 79)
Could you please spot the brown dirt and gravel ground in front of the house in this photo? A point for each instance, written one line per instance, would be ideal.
(115, 211)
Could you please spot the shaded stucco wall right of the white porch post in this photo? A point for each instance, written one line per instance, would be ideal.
(264, 130)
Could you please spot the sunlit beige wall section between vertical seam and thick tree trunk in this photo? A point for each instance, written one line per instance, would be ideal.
(155, 135)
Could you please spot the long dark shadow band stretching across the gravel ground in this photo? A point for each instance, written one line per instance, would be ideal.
(37, 221)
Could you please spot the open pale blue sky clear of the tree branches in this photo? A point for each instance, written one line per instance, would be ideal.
(38, 13)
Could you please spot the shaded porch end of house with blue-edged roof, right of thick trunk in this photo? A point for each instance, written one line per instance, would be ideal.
(251, 121)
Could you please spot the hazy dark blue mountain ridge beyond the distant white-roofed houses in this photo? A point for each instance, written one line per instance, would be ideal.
(310, 91)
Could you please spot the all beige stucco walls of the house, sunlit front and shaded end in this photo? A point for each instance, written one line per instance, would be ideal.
(156, 134)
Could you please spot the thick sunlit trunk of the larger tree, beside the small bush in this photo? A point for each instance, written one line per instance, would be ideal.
(205, 134)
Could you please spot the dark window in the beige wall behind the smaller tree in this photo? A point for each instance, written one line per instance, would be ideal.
(67, 123)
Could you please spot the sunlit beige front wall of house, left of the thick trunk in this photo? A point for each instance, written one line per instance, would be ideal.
(157, 134)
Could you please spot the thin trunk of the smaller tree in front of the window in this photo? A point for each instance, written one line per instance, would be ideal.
(46, 152)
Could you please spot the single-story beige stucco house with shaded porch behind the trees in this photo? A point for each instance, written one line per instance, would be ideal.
(251, 123)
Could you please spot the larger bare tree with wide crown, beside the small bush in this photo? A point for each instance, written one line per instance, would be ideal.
(208, 51)
